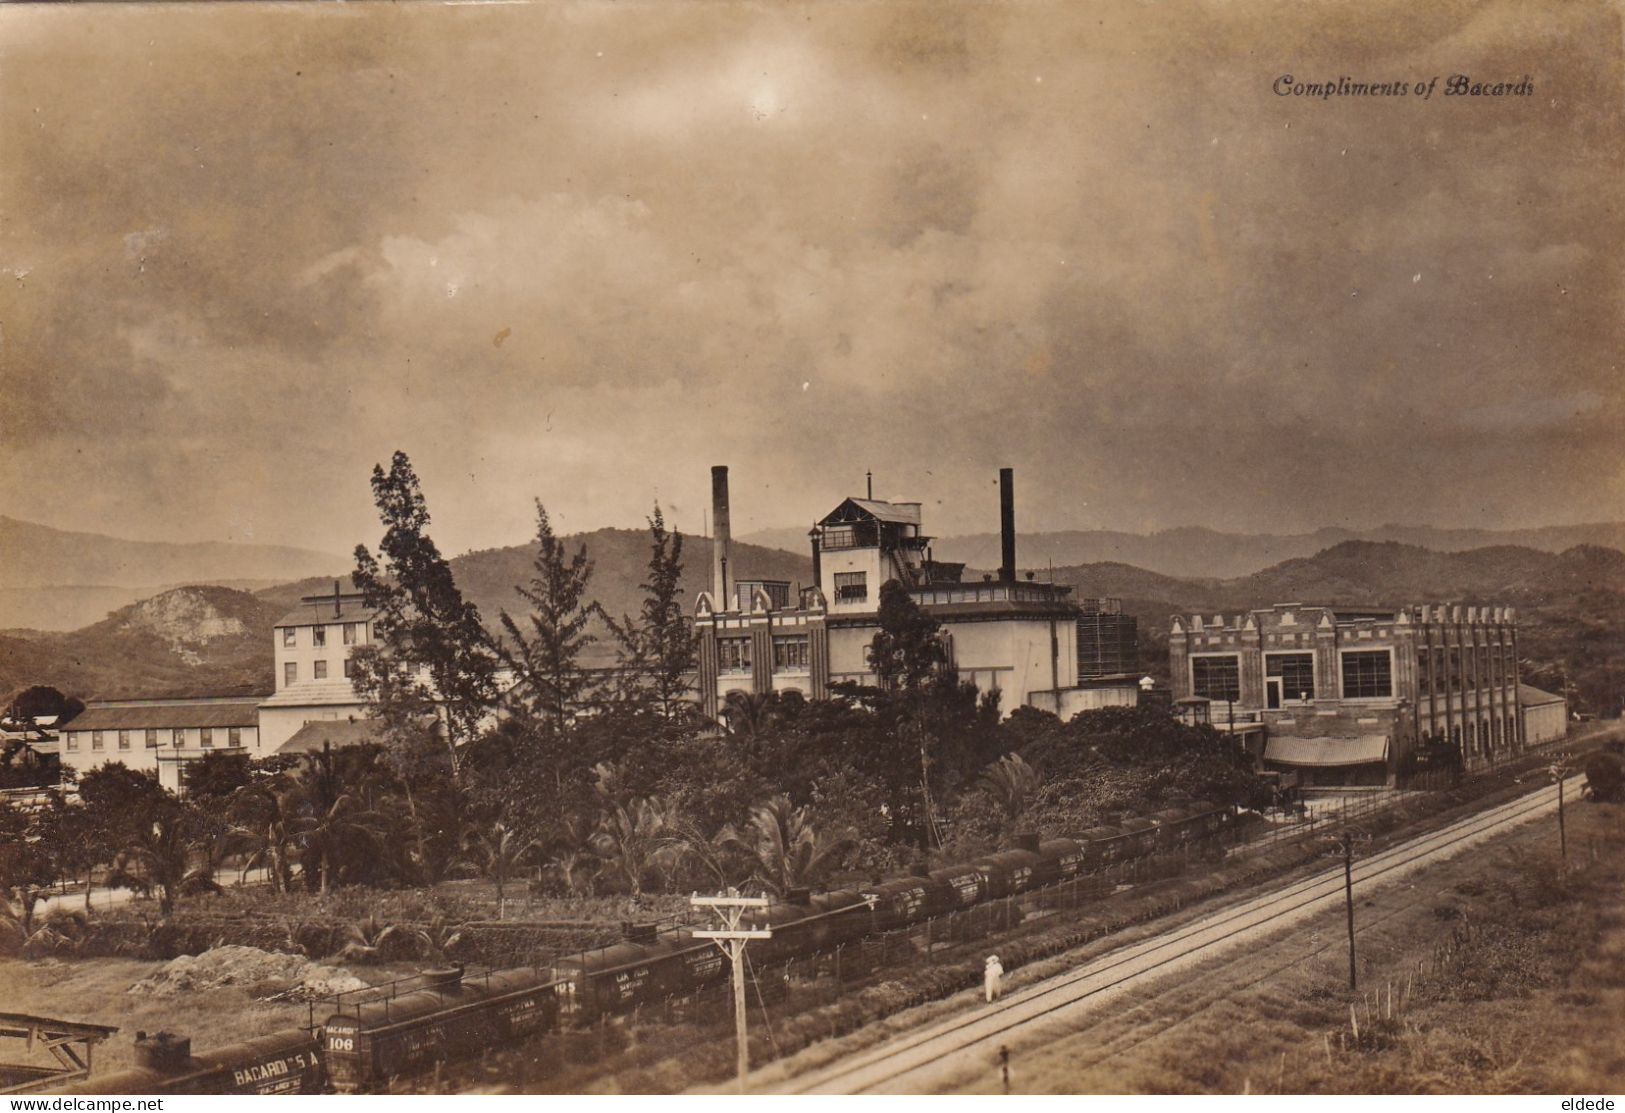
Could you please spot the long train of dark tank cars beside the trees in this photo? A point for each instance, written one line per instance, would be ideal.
(449, 1015)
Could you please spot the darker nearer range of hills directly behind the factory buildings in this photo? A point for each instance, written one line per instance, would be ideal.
(209, 639)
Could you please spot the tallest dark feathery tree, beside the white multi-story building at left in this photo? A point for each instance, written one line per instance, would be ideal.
(431, 656)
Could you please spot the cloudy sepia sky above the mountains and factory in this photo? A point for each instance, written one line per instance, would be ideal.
(579, 253)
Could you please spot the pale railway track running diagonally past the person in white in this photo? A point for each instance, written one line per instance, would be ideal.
(973, 1041)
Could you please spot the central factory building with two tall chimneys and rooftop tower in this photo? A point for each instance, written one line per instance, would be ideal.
(1008, 634)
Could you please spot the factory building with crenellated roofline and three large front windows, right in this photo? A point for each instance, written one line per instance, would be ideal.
(1346, 695)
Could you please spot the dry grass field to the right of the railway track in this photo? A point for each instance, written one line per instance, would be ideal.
(1486, 976)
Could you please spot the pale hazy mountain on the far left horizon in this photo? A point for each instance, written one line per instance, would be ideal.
(63, 581)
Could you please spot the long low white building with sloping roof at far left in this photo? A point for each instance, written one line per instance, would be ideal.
(162, 735)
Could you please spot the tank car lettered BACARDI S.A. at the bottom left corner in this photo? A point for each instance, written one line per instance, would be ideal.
(280, 1063)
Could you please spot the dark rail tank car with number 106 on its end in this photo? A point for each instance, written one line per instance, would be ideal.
(448, 1020)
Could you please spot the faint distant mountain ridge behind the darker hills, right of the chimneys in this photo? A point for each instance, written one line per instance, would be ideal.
(1202, 553)
